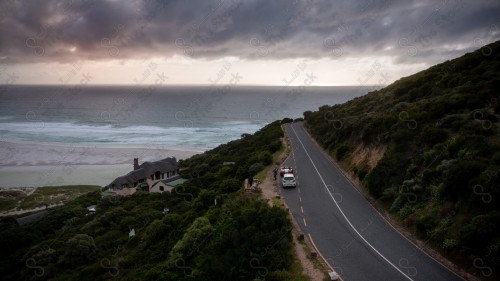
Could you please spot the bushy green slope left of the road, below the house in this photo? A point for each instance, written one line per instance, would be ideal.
(133, 238)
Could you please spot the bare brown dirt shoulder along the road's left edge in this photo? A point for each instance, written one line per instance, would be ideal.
(269, 190)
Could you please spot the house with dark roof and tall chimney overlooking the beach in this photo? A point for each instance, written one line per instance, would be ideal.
(145, 176)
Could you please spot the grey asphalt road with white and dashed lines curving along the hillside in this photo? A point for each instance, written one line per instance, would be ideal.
(349, 233)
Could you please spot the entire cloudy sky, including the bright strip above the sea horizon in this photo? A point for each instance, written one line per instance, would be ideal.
(236, 42)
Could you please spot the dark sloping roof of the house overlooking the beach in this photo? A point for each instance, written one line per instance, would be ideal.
(145, 170)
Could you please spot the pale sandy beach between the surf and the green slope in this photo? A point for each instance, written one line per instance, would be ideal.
(32, 165)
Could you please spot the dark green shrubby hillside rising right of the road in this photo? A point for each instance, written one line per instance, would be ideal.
(428, 148)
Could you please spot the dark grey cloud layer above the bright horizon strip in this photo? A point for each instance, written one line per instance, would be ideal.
(53, 30)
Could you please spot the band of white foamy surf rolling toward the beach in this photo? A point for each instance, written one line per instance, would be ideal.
(199, 137)
